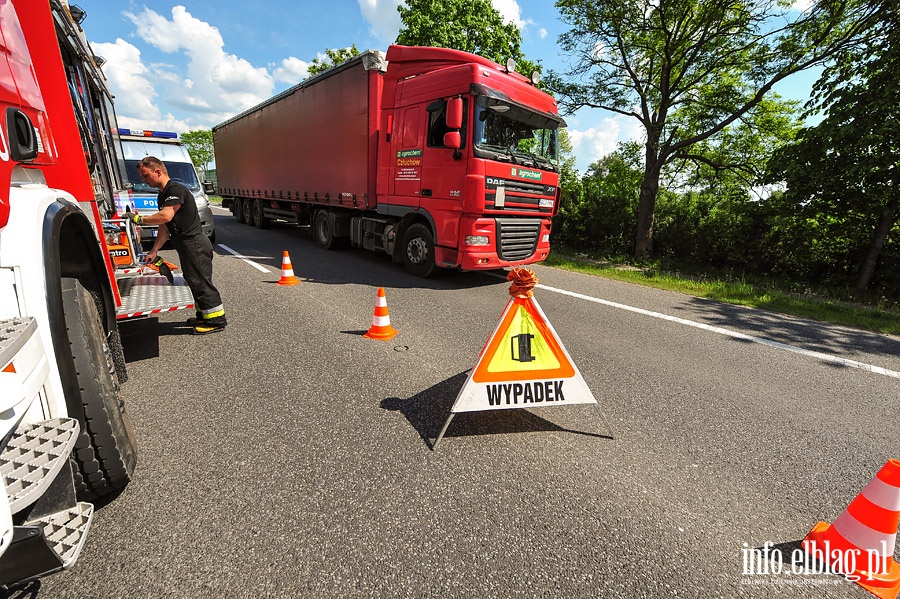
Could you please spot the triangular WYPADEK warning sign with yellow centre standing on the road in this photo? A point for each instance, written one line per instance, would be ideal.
(523, 365)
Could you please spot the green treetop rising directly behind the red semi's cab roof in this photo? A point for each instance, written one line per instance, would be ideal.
(470, 25)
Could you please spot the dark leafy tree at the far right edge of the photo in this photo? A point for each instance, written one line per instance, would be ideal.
(846, 169)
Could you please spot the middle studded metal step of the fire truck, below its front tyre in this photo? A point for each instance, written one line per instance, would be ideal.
(33, 458)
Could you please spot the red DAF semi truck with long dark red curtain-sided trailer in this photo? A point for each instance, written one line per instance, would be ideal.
(439, 158)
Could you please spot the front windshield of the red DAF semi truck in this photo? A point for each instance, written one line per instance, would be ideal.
(510, 133)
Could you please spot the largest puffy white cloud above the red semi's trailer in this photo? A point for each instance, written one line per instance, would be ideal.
(214, 85)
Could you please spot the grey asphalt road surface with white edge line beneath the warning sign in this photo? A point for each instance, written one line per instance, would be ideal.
(291, 457)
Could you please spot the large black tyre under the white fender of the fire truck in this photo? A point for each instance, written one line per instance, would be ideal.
(105, 452)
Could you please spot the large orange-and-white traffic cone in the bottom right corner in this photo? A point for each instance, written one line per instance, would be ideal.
(860, 543)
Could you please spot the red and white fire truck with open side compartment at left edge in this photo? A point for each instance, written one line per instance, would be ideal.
(70, 271)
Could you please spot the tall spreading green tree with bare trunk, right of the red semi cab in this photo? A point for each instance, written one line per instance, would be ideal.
(688, 69)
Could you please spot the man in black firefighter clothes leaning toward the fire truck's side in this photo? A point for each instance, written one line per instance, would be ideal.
(178, 211)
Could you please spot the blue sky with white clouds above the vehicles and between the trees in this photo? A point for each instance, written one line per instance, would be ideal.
(181, 66)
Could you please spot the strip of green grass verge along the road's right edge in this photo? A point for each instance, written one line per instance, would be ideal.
(826, 309)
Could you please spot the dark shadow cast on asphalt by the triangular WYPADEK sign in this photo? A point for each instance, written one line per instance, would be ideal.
(428, 411)
